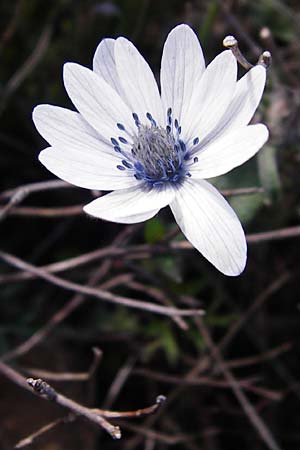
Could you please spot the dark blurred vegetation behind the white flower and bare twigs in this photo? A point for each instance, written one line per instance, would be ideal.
(152, 353)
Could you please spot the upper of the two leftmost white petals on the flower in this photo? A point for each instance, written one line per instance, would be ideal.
(63, 128)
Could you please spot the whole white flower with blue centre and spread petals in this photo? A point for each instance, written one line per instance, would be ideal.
(156, 149)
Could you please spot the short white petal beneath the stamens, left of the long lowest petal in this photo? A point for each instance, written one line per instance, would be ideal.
(130, 205)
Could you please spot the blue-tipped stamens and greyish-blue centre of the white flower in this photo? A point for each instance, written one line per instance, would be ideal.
(154, 154)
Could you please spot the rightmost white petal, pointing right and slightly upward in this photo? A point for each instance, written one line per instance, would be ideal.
(229, 151)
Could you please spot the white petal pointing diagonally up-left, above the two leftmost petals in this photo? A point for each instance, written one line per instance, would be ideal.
(96, 100)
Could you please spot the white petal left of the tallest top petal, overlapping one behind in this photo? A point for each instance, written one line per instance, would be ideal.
(138, 82)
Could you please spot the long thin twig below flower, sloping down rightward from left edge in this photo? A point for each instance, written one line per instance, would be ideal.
(98, 293)
